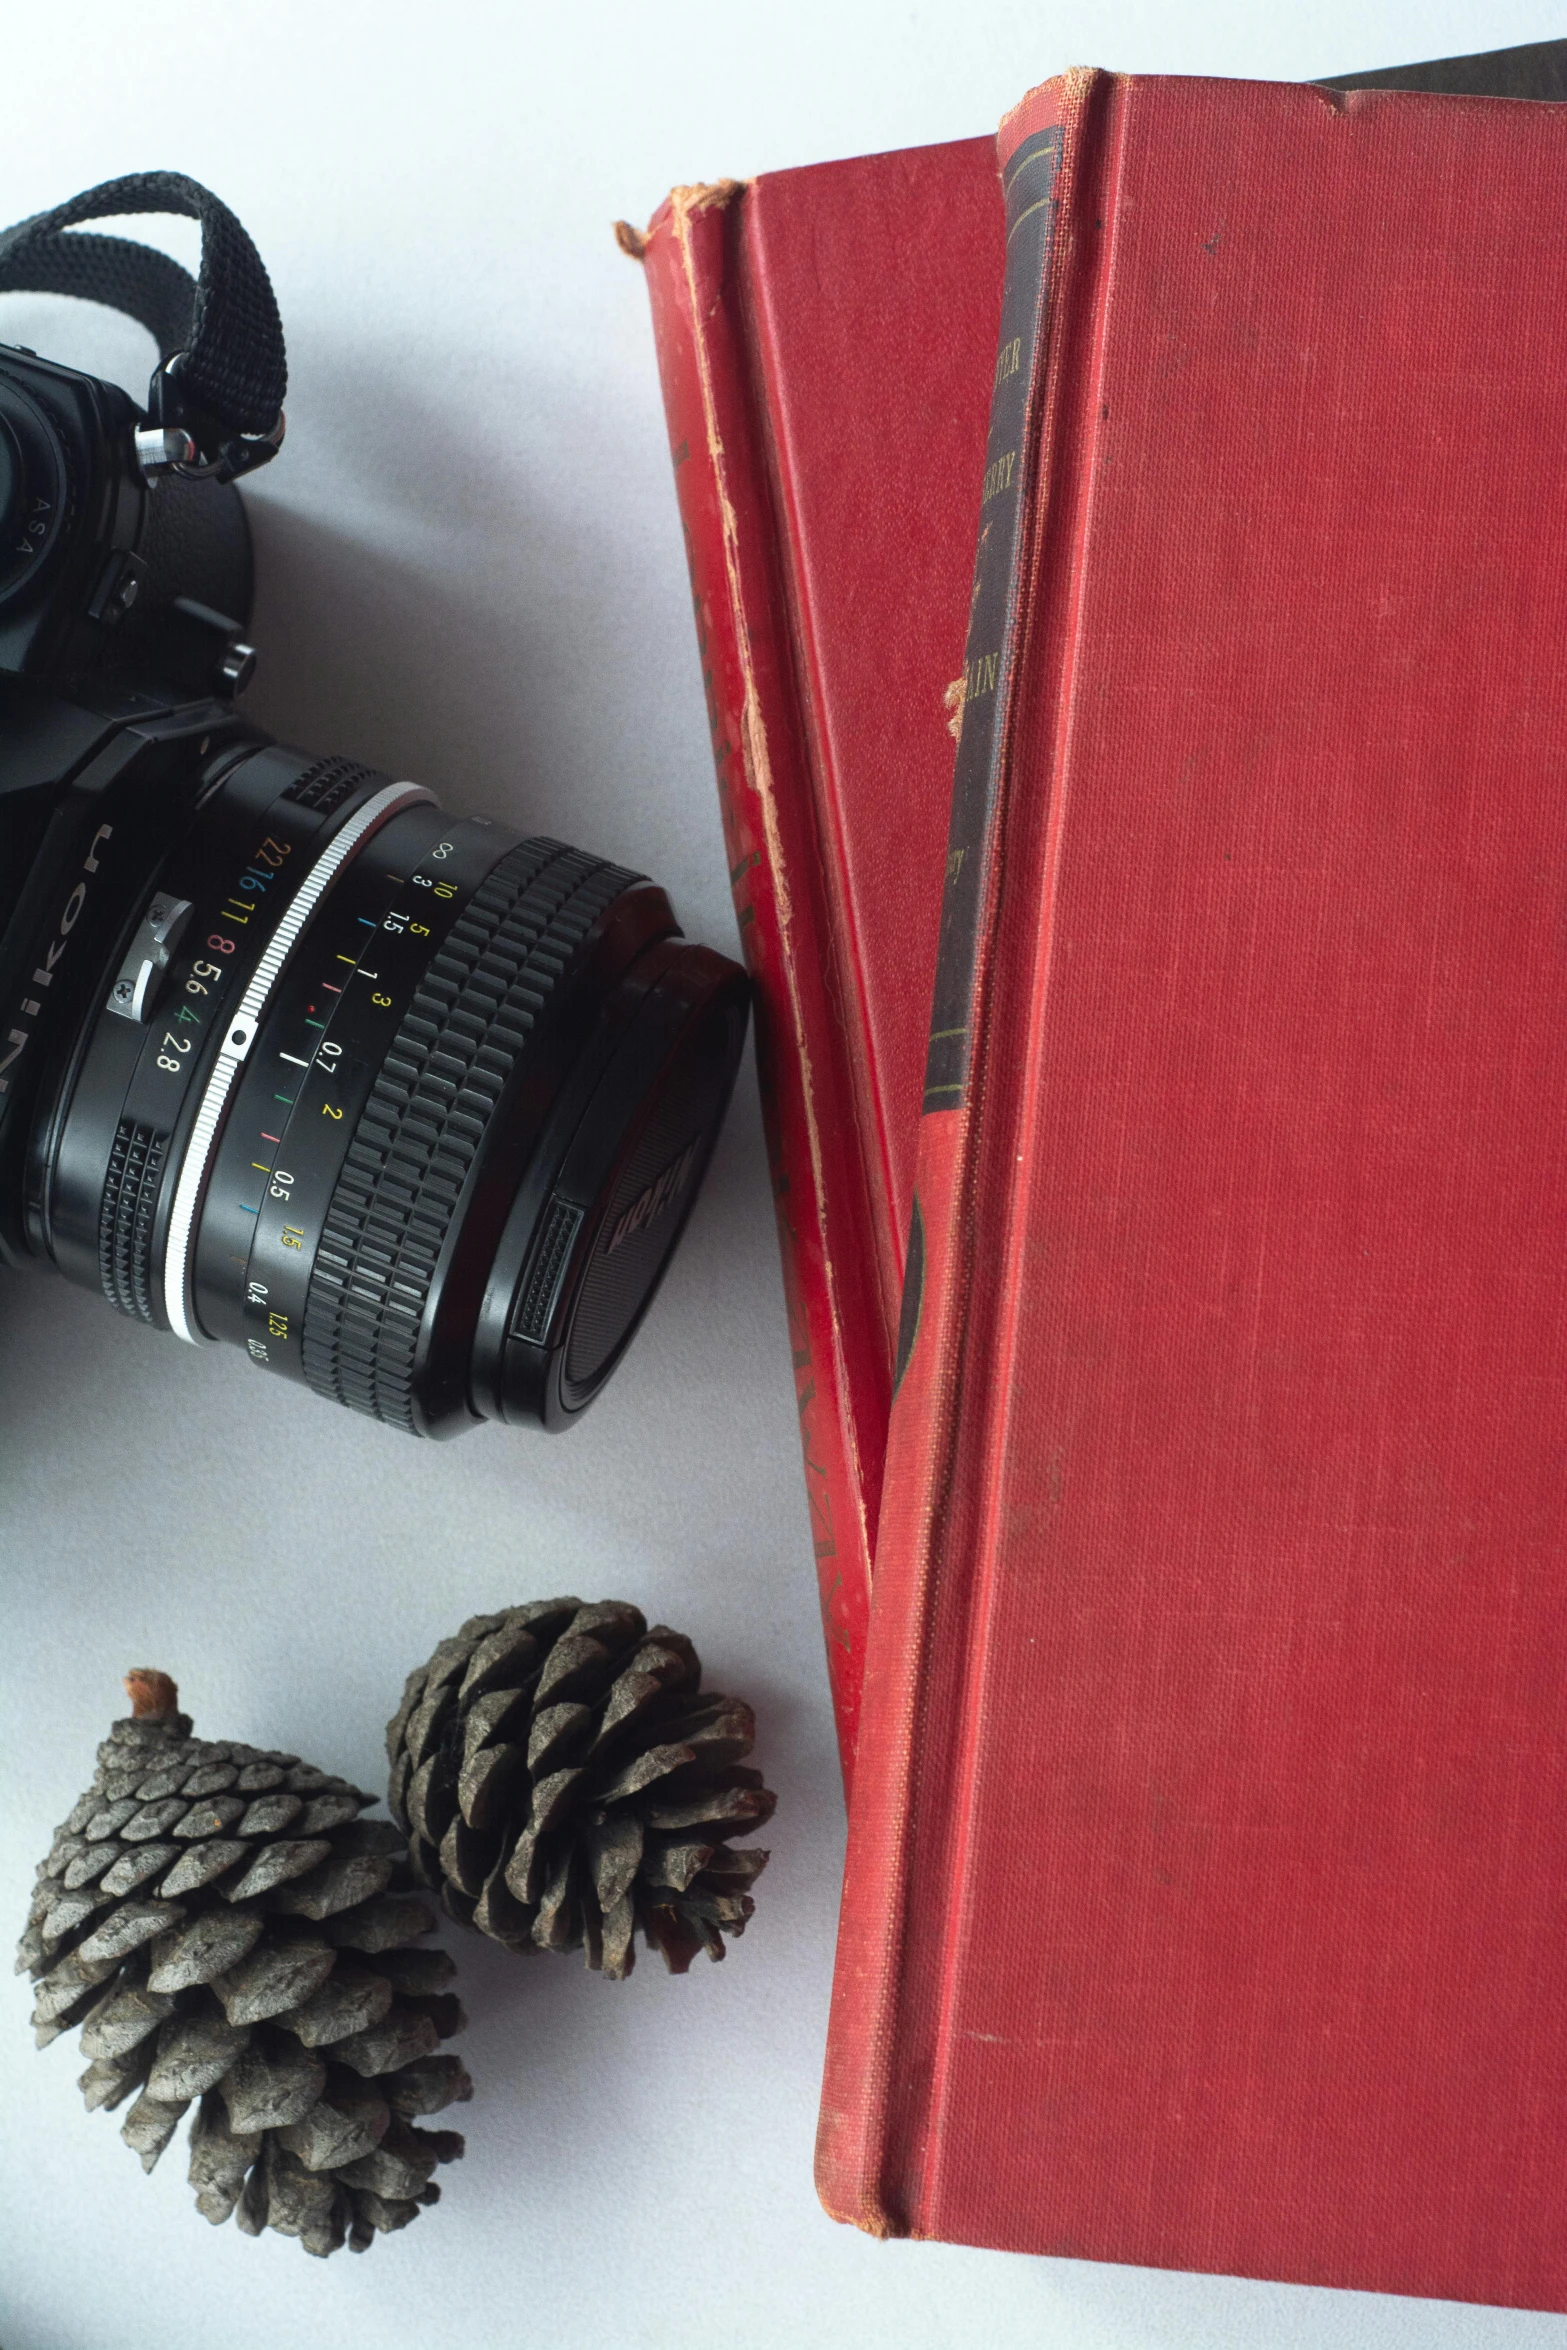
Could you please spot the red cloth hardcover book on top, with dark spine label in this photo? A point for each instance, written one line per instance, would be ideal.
(1206, 1888)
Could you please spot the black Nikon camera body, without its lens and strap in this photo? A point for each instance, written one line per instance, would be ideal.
(123, 610)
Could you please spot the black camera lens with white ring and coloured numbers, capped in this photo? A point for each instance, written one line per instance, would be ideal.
(405, 1106)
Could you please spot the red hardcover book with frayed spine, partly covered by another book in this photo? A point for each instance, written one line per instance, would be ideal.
(816, 340)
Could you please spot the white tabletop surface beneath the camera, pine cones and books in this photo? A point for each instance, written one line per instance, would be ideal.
(471, 572)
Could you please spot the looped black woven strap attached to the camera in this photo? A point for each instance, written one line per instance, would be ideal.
(220, 342)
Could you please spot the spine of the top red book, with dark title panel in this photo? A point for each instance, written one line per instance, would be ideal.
(882, 2088)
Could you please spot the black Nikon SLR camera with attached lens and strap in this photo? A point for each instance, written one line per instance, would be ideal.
(405, 1106)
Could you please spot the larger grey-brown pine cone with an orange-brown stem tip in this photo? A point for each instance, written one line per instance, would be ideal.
(227, 1928)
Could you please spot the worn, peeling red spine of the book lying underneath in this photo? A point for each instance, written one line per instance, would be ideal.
(765, 795)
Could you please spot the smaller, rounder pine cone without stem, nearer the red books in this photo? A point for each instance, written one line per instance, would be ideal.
(565, 1782)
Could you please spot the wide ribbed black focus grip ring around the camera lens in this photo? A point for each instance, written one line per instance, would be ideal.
(429, 1113)
